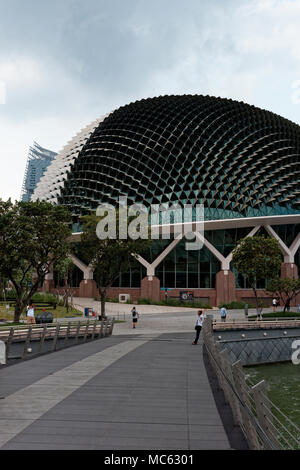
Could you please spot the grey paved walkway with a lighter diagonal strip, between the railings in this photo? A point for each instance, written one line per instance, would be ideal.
(138, 389)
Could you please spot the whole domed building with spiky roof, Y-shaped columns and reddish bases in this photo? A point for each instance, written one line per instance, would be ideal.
(239, 162)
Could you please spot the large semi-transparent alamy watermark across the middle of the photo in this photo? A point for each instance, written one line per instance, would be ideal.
(138, 221)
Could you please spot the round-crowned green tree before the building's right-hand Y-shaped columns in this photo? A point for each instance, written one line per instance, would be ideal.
(258, 258)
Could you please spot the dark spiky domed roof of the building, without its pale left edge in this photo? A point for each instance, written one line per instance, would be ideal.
(236, 159)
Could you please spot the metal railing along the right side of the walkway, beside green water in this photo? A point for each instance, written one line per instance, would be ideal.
(264, 425)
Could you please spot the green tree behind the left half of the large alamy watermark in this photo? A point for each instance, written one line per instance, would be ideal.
(109, 257)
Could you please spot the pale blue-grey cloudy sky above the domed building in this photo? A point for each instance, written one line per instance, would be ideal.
(63, 63)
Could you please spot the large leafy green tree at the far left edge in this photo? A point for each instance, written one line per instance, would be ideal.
(33, 235)
